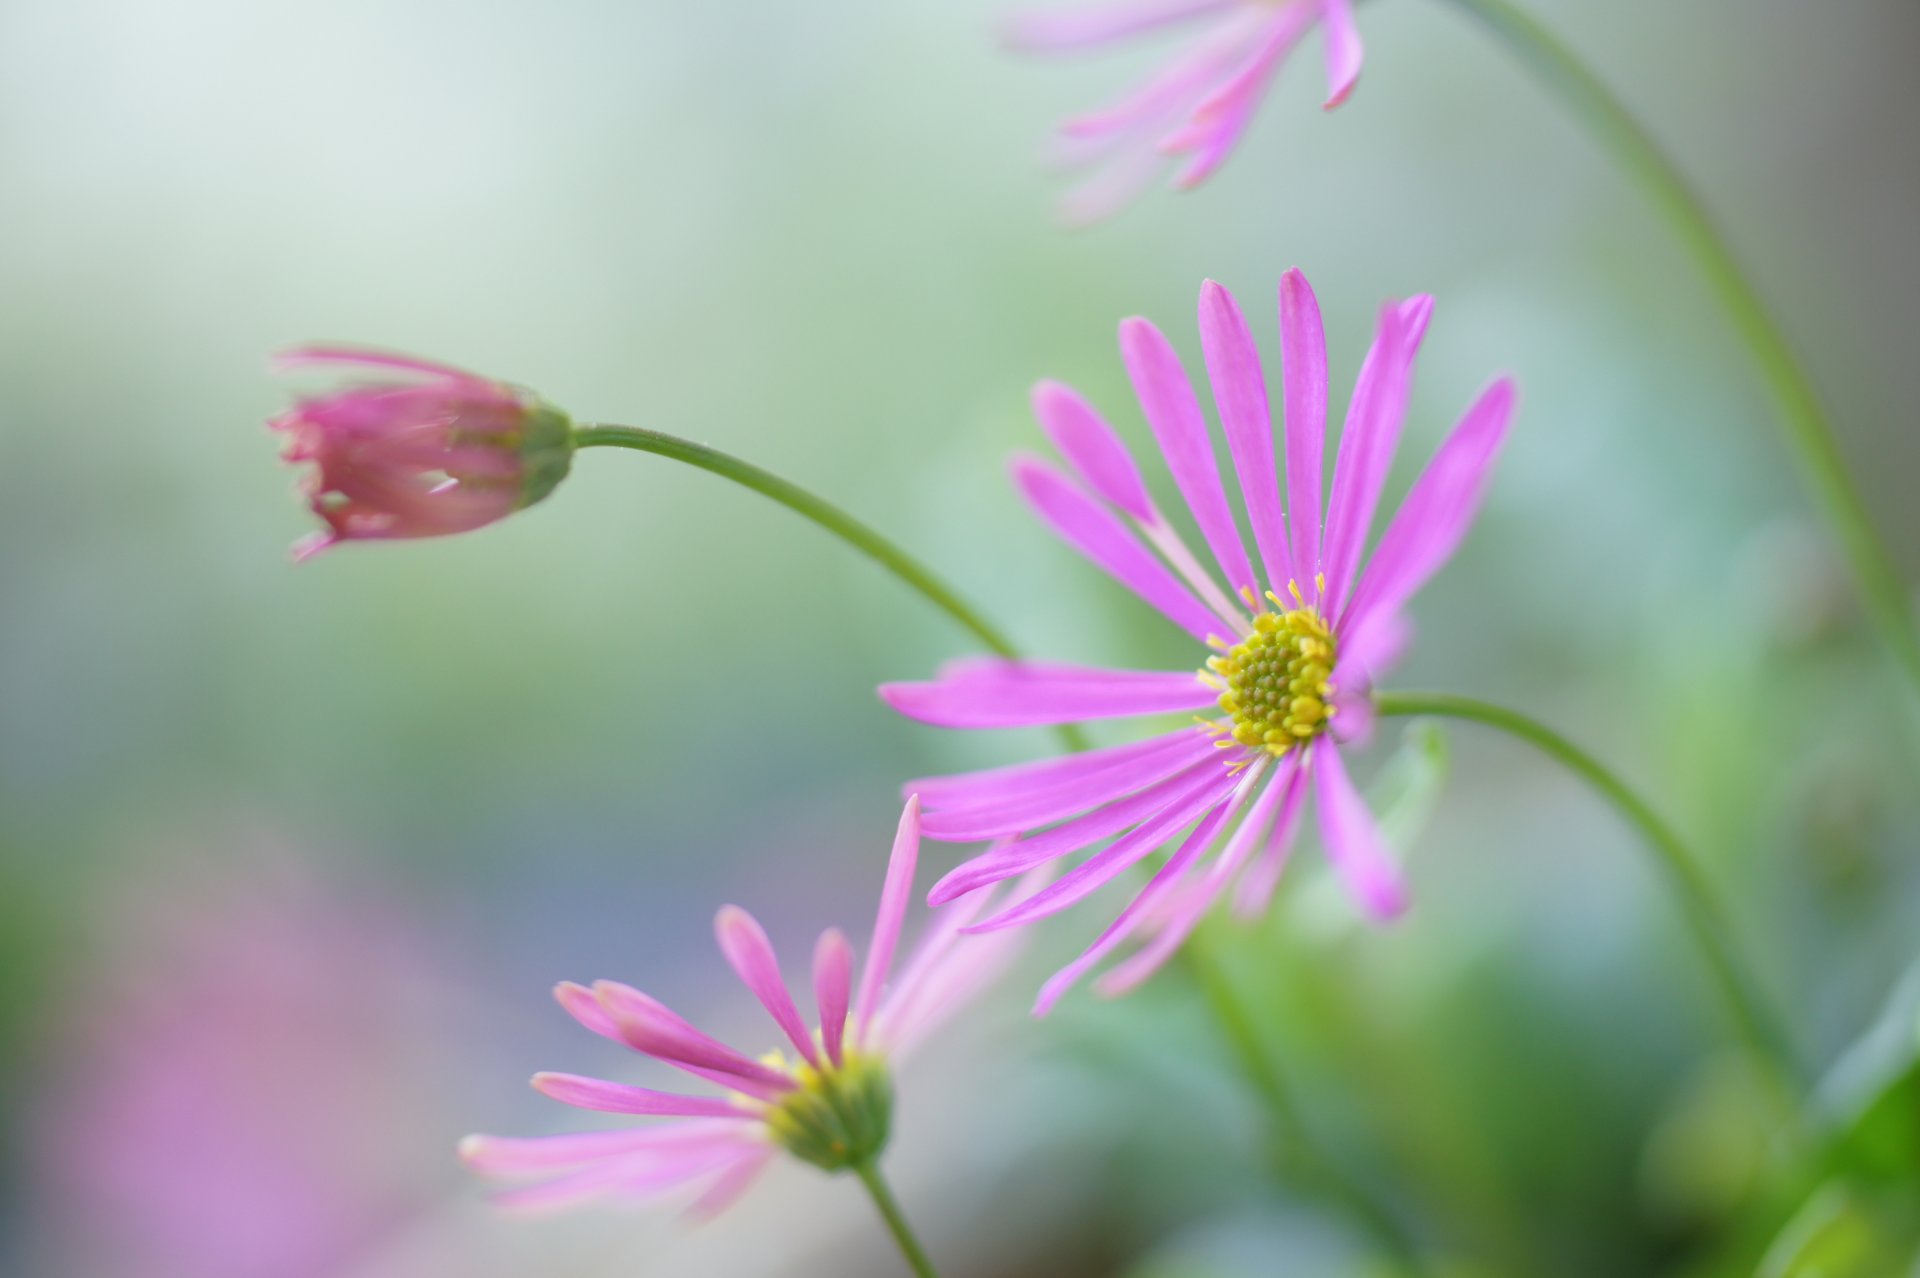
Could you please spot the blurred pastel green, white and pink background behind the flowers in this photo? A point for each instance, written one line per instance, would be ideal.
(289, 859)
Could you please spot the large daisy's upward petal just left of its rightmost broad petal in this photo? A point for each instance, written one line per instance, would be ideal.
(1366, 450)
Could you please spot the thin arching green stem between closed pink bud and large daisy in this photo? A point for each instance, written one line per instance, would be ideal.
(823, 513)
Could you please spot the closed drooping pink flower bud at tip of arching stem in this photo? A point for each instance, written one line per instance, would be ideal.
(418, 450)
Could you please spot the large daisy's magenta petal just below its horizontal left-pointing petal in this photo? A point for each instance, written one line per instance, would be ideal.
(1049, 782)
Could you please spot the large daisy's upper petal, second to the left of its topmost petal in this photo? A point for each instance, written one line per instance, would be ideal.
(1174, 414)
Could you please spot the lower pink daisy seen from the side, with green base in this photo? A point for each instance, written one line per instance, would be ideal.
(827, 1100)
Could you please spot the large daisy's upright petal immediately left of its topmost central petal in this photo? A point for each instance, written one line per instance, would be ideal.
(1241, 396)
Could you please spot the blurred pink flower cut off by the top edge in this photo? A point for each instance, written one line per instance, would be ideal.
(1195, 110)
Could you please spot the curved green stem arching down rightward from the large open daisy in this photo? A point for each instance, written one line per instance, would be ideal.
(1706, 920)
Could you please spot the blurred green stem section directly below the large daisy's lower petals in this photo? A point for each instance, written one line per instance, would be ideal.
(1299, 1156)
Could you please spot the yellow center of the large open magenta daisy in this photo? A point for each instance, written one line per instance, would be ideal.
(1276, 682)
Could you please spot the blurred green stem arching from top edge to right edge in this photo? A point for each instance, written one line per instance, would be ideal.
(1787, 379)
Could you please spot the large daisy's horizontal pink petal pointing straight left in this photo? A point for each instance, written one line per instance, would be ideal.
(1020, 698)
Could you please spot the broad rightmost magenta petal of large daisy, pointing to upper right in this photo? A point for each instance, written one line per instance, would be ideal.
(1439, 509)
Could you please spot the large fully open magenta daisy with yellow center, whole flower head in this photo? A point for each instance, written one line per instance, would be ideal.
(1291, 646)
